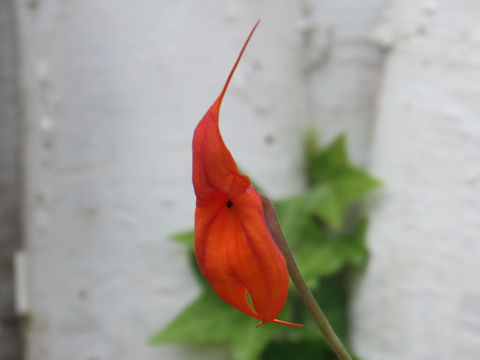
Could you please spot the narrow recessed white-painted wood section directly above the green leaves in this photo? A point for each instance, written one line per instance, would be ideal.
(343, 66)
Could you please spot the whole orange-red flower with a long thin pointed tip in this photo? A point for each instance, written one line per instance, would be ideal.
(234, 249)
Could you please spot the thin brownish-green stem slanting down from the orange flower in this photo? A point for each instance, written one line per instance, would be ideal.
(297, 279)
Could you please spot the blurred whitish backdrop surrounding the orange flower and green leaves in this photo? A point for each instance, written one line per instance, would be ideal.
(98, 102)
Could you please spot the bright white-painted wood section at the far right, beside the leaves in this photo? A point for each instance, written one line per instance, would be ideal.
(420, 297)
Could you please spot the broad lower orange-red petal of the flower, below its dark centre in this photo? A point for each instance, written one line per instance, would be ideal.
(236, 254)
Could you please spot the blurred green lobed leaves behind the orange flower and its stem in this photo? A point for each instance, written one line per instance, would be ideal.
(326, 233)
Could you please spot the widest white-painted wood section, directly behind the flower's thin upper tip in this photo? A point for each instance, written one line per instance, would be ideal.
(112, 91)
